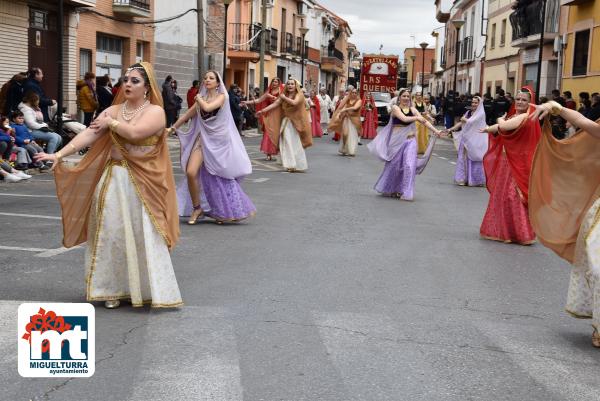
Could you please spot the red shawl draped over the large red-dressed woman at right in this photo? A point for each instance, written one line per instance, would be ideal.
(519, 146)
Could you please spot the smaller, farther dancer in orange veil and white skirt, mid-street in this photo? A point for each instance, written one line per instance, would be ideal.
(346, 120)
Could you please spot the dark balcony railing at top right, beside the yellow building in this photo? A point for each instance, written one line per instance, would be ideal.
(526, 20)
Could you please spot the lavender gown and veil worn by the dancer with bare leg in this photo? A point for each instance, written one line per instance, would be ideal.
(225, 164)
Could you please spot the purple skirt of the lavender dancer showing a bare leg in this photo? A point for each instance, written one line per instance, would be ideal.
(226, 199)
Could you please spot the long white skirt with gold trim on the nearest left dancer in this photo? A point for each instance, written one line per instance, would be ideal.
(126, 257)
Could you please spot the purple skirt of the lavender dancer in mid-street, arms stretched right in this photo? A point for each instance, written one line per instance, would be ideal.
(398, 176)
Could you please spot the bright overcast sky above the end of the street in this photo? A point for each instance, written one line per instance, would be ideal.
(387, 22)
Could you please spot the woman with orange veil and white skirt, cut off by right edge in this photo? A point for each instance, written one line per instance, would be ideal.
(564, 206)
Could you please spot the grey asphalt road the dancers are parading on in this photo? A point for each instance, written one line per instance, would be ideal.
(330, 293)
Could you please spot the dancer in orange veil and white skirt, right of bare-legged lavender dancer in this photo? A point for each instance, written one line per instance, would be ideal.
(287, 121)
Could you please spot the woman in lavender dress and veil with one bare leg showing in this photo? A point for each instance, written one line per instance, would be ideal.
(214, 158)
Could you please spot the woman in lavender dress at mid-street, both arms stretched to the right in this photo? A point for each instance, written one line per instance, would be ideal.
(396, 145)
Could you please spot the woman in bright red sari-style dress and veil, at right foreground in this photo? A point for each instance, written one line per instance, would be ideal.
(507, 165)
